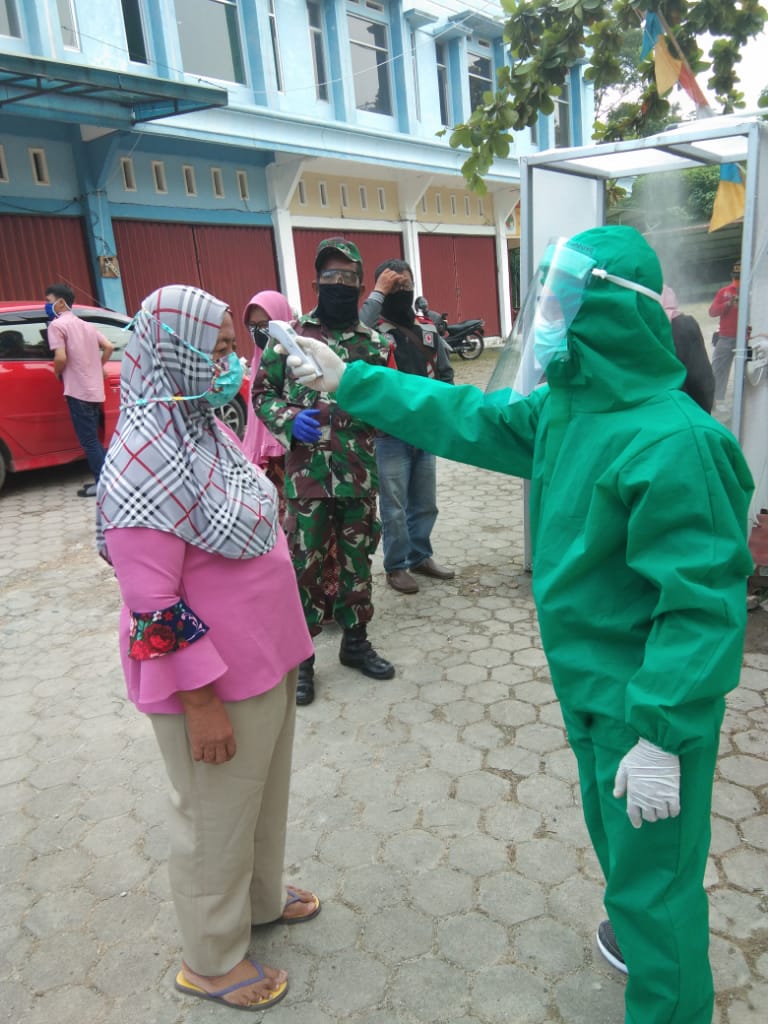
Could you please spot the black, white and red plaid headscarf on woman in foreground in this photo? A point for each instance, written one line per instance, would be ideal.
(169, 467)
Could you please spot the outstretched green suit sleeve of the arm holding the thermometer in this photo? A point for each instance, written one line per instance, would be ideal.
(459, 423)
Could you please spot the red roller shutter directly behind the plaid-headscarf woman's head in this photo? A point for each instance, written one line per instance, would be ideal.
(230, 263)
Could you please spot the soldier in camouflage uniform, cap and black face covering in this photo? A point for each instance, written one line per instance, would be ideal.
(331, 482)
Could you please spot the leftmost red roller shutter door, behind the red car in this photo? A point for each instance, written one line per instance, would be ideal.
(39, 251)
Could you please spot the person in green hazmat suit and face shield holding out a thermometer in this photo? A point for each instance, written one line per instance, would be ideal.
(638, 517)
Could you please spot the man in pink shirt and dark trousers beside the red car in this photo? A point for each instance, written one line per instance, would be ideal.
(79, 355)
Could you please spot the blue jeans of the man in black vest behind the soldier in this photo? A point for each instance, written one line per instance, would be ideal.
(408, 485)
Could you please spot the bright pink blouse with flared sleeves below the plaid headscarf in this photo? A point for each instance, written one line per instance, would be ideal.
(257, 629)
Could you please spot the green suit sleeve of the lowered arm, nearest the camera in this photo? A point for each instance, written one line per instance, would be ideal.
(687, 537)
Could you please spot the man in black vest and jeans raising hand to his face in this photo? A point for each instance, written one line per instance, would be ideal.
(408, 477)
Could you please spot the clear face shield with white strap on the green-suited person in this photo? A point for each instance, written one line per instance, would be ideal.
(540, 335)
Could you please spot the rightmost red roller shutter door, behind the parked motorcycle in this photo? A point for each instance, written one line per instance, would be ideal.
(459, 278)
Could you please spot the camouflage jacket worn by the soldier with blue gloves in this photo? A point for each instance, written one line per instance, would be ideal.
(343, 463)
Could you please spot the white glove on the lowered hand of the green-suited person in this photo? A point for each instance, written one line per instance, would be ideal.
(651, 778)
